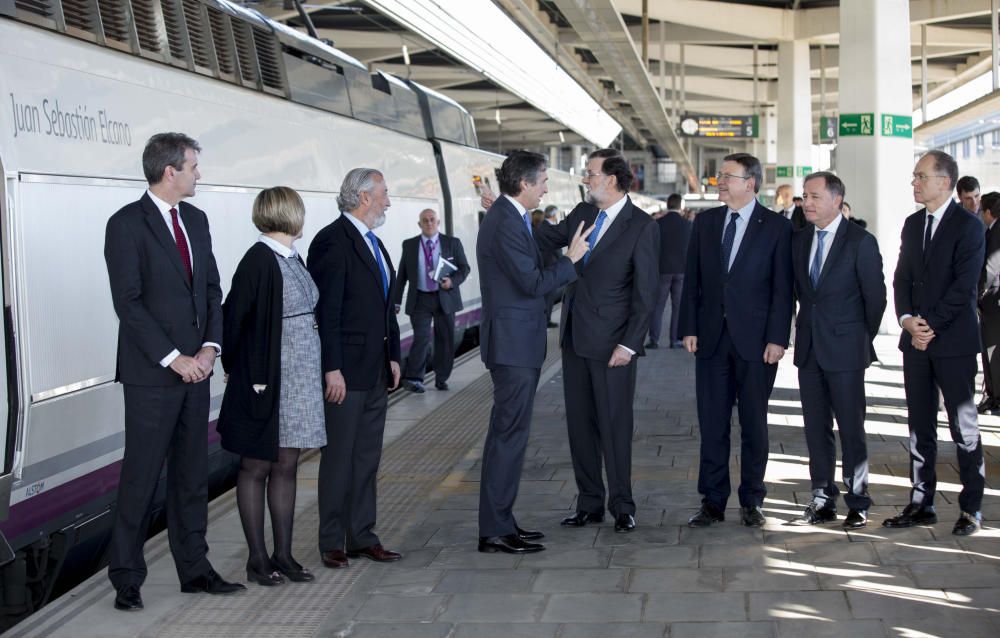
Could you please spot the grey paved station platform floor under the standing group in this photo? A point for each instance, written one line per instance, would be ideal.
(664, 579)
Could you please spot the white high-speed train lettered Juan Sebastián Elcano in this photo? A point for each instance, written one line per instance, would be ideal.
(83, 85)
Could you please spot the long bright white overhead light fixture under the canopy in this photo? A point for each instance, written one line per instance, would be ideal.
(480, 35)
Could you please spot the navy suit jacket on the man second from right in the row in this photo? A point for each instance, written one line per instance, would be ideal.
(839, 318)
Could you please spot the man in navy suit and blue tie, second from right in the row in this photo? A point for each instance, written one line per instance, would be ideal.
(841, 292)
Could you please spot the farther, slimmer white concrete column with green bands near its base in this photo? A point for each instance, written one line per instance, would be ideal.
(794, 111)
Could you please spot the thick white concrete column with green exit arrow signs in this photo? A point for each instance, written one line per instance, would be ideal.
(875, 72)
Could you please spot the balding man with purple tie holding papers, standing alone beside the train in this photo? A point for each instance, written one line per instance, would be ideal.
(430, 300)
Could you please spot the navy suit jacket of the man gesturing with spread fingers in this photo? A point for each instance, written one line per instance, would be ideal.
(514, 284)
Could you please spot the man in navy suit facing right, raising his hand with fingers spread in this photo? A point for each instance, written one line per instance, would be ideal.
(513, 340)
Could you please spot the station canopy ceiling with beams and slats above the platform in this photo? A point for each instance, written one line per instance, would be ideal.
(599, 44)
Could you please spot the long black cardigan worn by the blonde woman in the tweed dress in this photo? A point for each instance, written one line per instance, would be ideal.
(251, 355)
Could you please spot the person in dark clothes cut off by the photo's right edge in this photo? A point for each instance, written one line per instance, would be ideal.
(989, 305)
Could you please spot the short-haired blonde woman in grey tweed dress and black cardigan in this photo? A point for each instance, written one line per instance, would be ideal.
(273, 404)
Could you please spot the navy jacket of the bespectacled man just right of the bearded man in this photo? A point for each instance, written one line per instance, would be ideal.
(754, 297)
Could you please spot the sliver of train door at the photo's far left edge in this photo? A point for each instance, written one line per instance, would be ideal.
(8, 387)
